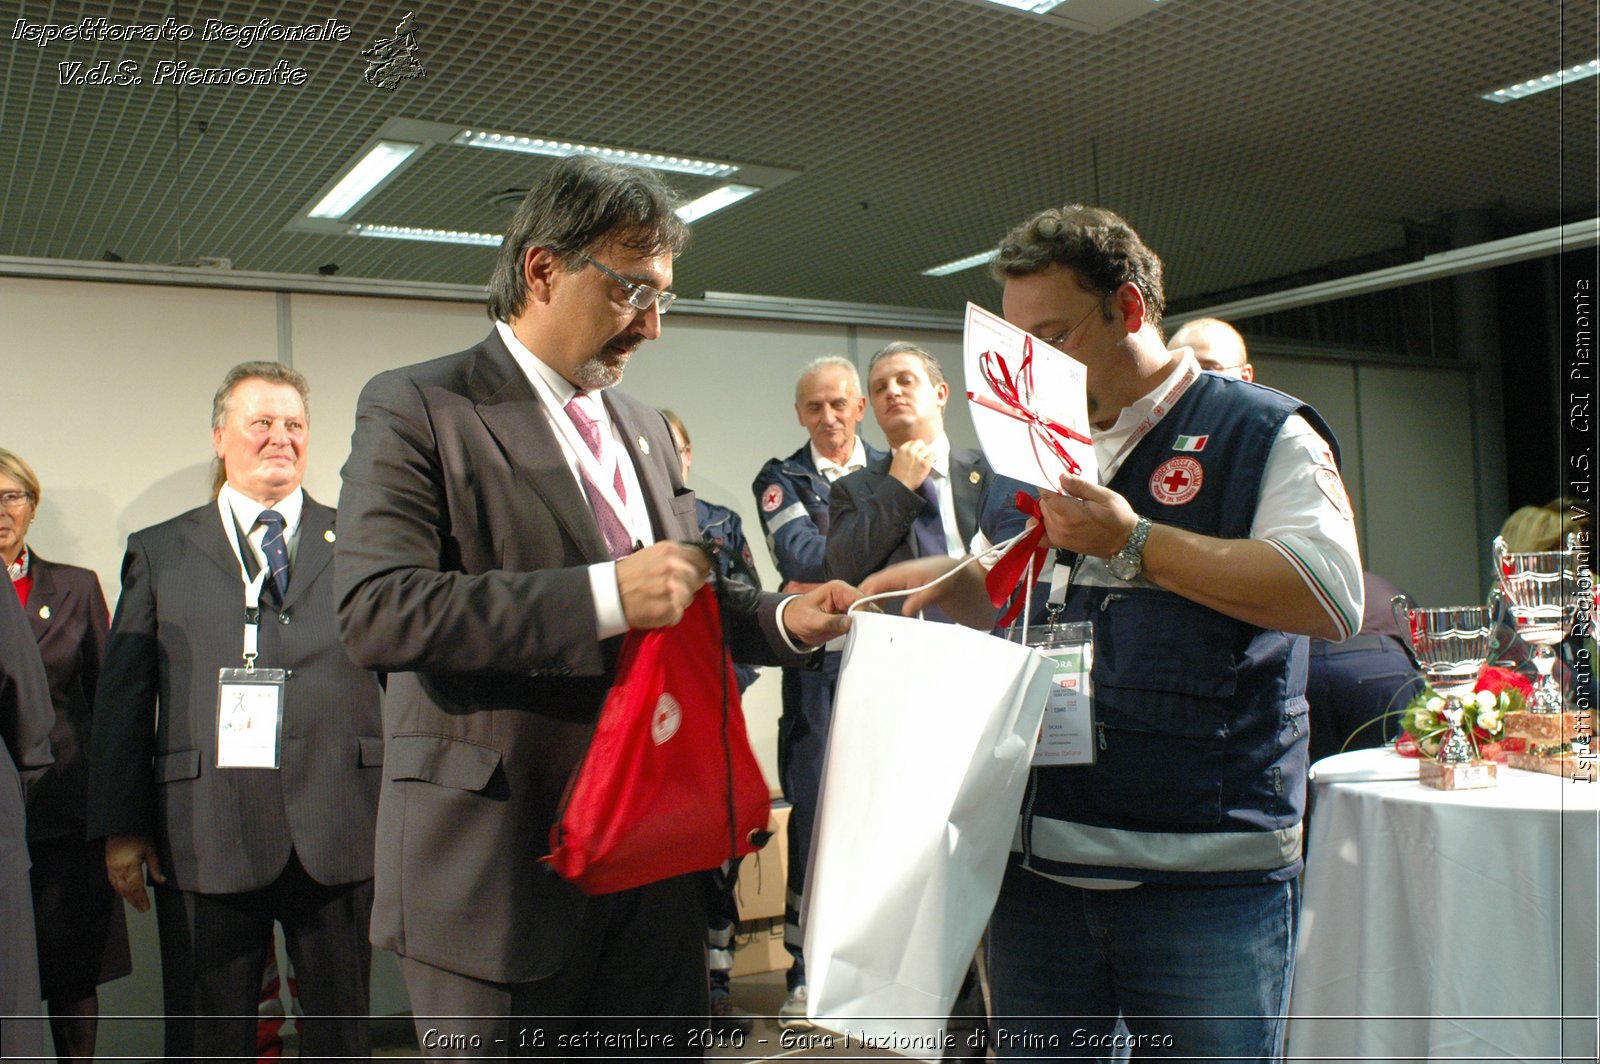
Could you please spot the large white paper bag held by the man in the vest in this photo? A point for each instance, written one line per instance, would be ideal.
(927, 762)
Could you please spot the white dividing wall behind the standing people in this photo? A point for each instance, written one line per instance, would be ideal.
(110, 391)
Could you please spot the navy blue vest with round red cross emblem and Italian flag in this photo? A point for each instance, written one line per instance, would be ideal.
(1201, 719)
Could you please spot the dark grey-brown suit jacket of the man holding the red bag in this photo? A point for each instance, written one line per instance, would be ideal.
(463, 572)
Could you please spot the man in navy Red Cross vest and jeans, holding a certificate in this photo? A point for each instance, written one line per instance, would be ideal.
(1151, 903)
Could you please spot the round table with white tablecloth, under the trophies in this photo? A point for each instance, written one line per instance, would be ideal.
(1447, 924)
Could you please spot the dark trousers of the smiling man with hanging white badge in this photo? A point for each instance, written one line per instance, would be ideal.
(214, 948)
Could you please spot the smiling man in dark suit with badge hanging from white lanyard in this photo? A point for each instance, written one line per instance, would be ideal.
(241, 836)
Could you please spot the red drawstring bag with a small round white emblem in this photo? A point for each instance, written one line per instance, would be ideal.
(670, 783)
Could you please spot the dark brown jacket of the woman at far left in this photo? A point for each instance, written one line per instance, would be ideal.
(71, 622)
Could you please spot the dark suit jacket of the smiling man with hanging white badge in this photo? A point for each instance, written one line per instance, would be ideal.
(180, 618)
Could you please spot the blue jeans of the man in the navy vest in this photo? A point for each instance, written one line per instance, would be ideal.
(1150, 972)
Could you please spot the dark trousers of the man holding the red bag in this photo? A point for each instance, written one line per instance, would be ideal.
(633, 988)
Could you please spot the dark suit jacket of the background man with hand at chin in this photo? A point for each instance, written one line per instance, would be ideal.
(871, 514)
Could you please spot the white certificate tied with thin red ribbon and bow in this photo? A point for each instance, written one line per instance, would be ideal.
(1028, 404)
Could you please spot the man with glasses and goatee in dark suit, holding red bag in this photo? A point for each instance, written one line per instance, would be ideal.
(508, 516)
